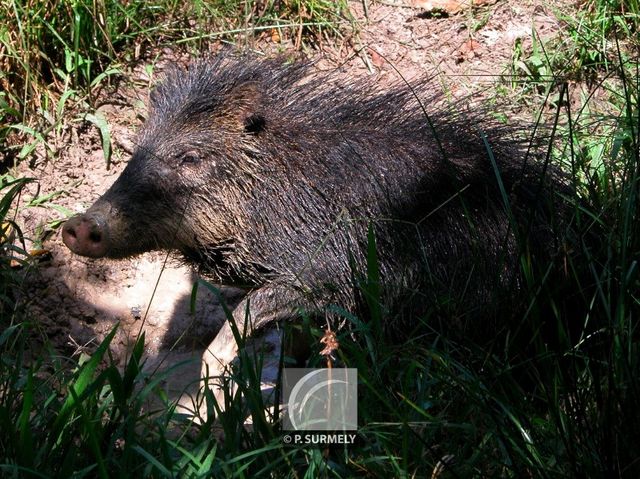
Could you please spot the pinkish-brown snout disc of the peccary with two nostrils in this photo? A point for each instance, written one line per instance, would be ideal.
(86, 236)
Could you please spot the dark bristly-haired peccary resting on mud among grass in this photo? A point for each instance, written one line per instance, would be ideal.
(268, 176)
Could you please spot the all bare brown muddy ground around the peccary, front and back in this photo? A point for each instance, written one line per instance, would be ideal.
(77, 301)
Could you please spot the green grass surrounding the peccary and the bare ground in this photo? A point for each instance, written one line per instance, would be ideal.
(434, 402)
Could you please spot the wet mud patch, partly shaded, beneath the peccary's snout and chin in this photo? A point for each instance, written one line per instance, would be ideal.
(76, 302)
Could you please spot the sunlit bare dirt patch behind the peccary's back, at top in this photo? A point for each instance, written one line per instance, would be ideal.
(467, 52)
